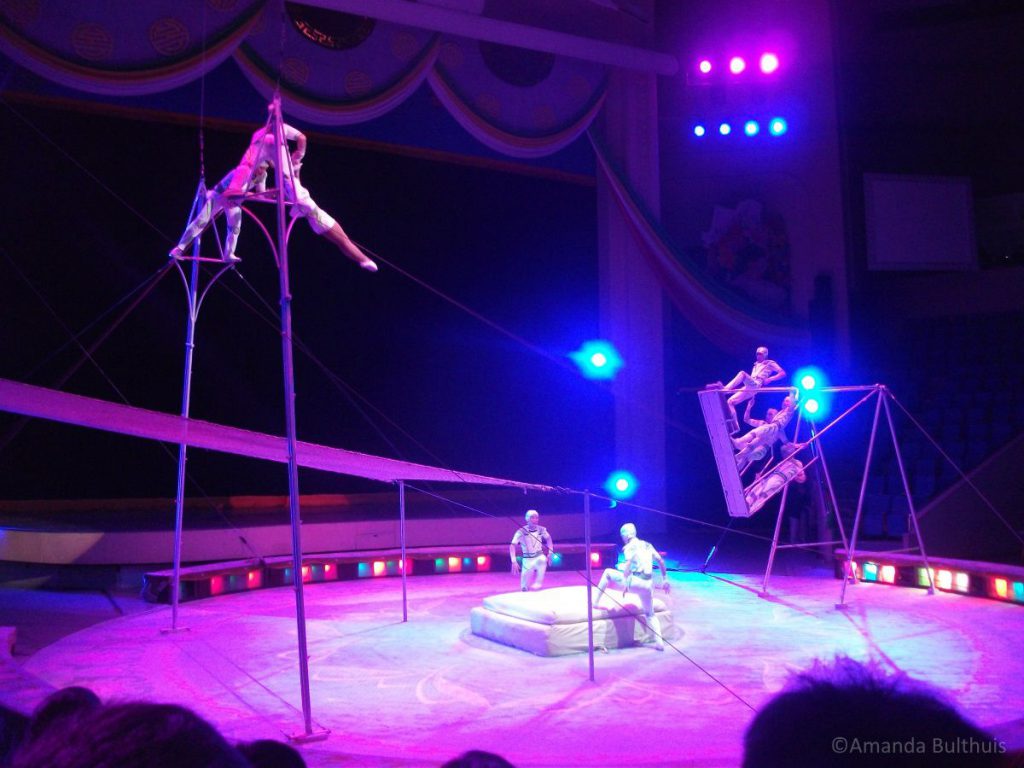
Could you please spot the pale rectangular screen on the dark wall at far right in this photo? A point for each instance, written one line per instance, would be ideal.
(919, 223)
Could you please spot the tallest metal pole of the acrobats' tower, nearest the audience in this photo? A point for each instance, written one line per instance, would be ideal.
(284, 179)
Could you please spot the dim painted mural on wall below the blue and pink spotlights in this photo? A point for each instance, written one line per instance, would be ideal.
(747, 249)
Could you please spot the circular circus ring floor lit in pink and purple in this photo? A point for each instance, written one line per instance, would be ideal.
(421, 693)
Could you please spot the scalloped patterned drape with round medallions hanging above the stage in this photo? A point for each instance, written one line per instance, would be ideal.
(333, 69)
